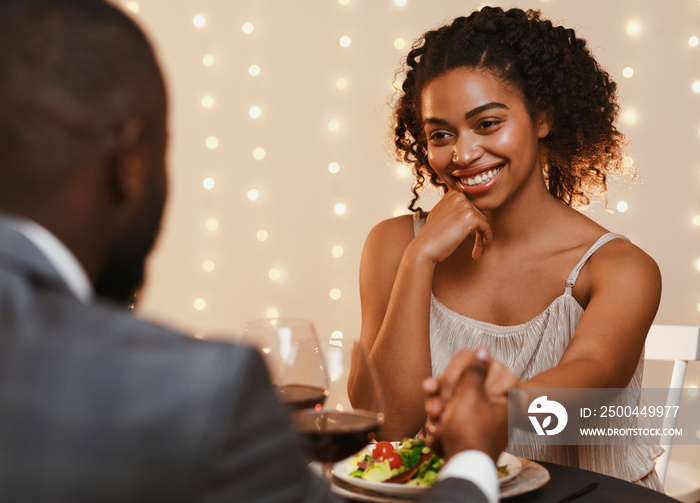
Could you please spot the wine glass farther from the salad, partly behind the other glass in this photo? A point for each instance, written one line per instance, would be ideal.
(294, 359)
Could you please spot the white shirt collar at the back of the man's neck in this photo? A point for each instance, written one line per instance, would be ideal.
(60, 257)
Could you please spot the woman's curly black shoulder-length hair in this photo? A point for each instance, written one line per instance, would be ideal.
(557, 75)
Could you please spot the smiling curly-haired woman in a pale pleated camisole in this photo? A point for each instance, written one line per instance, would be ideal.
(513, 118)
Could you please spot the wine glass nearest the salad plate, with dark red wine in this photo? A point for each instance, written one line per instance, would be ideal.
(338, 430)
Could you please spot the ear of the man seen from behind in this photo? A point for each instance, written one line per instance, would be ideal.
(126, 161)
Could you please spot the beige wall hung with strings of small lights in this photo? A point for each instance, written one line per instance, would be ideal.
(296, 45)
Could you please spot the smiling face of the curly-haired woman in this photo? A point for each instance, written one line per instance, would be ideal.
(481, 139)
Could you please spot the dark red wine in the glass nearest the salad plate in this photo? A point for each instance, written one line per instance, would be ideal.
(334, 435)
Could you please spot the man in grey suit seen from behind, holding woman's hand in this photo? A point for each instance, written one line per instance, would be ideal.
(96, 405)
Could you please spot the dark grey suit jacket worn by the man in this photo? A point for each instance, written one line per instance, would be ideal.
(98, 406)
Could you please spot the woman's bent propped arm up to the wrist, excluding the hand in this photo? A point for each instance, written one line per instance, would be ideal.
(395, 290)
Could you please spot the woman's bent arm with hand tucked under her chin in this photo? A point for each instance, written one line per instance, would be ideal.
(396, 275)
